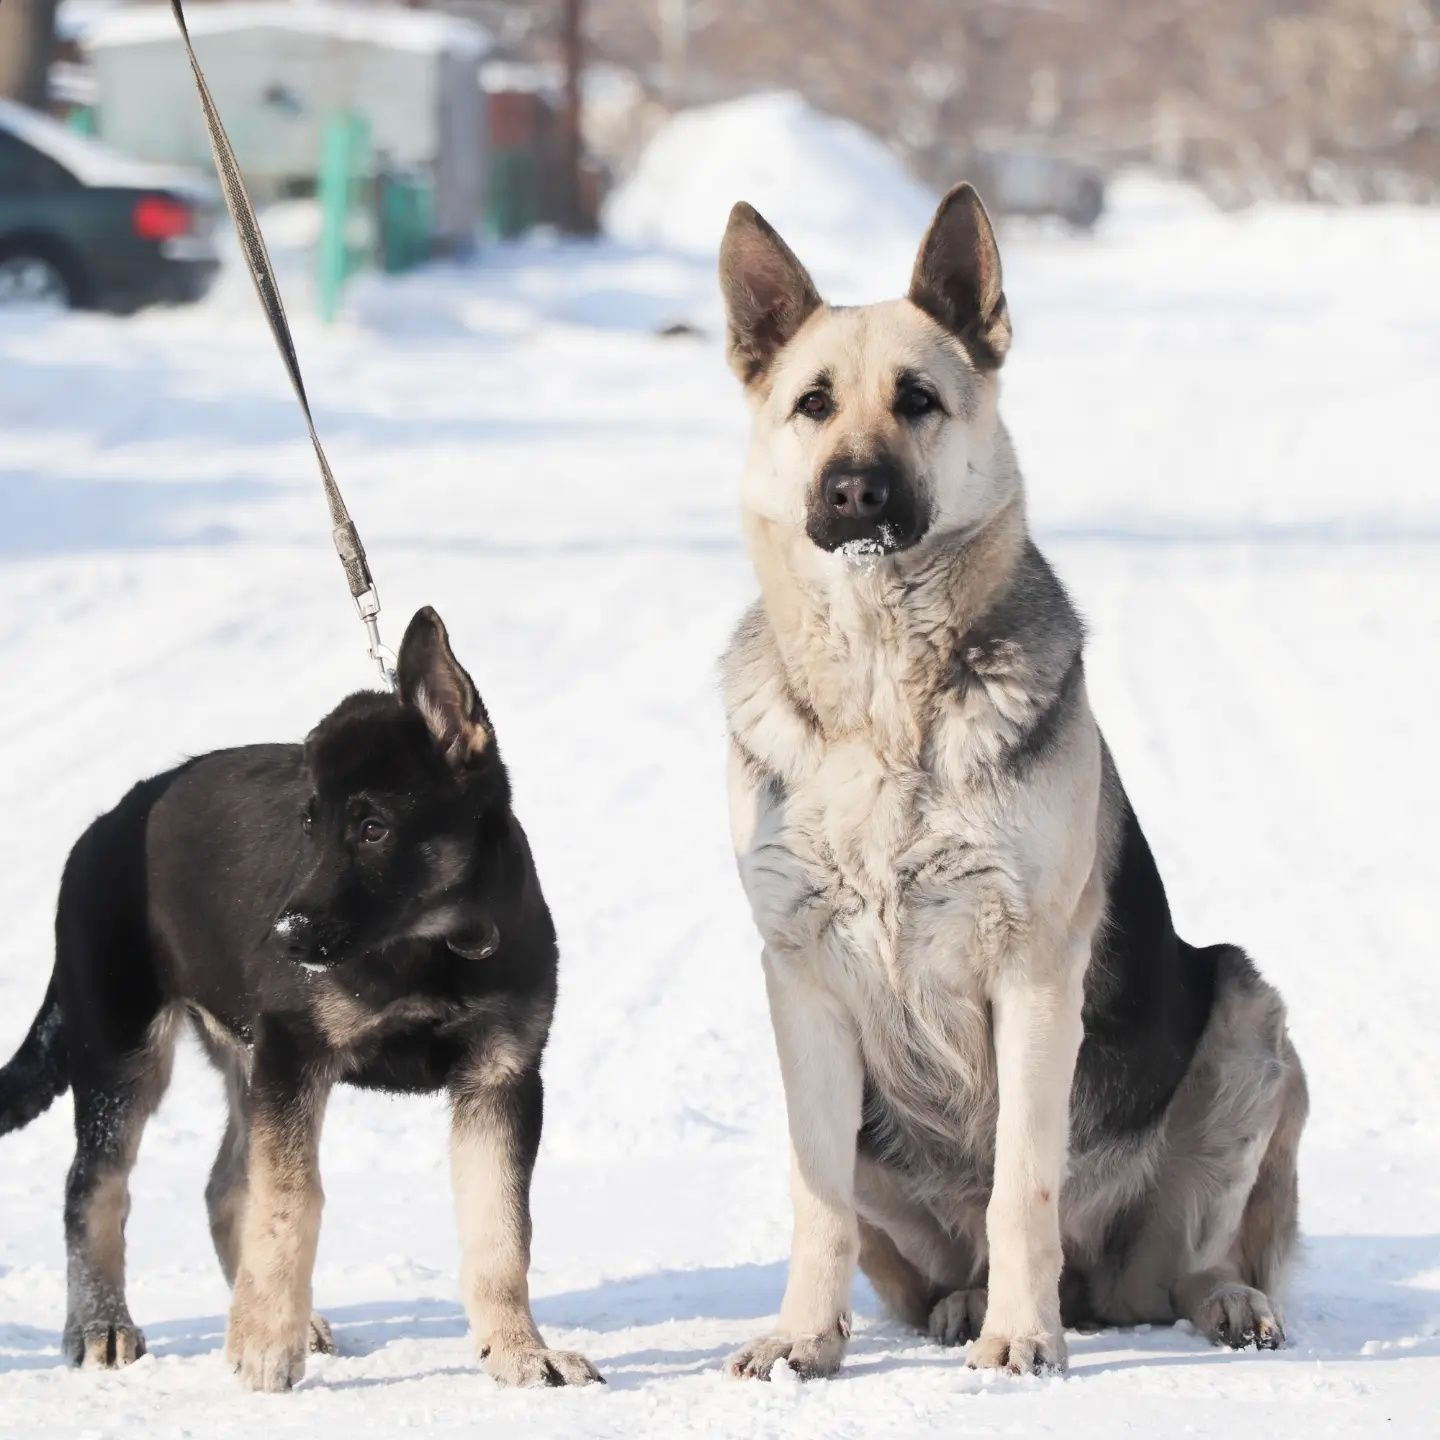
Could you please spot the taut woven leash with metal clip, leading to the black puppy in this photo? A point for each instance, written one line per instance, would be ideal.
(253, 243)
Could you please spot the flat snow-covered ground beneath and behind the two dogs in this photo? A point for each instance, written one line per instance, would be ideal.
(1230, 428)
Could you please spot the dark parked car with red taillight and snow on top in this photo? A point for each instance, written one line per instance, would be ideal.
(83, 225)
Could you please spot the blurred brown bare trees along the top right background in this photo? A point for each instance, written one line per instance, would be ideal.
(1305, 99)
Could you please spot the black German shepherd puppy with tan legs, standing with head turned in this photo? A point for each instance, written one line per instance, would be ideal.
(358, 909)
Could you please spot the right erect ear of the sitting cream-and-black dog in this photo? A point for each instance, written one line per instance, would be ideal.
(957, 279)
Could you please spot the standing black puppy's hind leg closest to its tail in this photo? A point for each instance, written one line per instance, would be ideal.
(113, 1101)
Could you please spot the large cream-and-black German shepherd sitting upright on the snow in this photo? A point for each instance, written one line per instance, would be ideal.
(1016, 1098)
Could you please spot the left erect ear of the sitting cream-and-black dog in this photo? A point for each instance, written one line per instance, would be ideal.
(768, 294)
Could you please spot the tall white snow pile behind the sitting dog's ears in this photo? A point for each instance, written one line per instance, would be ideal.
(839, 197)
